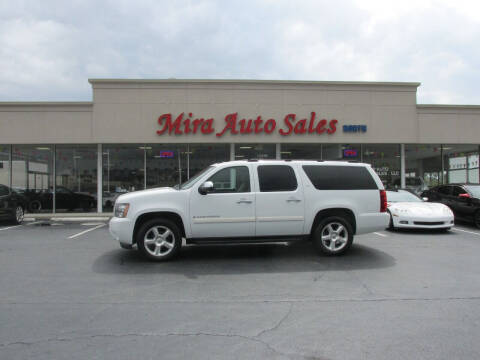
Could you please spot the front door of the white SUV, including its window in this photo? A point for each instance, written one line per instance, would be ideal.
(228, 210)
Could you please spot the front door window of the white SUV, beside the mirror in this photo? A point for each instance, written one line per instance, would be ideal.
(234, 179)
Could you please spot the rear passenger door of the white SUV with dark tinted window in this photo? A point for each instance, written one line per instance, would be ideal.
(280, 208)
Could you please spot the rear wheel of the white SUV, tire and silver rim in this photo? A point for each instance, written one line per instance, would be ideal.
(342, 241)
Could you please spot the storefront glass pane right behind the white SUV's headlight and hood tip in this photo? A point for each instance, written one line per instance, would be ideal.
(123, 171)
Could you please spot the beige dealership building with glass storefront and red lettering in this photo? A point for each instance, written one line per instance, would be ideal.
(138, 134)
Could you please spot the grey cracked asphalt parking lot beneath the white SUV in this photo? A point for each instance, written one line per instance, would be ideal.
(69, 292)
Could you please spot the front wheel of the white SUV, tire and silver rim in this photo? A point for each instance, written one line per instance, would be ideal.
(152, 242)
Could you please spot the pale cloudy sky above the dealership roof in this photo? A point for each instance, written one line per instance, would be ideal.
(49, 49)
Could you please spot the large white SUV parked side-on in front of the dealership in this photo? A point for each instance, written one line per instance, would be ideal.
(255, 201)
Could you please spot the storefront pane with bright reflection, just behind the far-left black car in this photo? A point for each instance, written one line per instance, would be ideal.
(32, 175)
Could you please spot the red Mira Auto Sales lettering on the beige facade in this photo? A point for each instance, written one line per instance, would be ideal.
(187, 123)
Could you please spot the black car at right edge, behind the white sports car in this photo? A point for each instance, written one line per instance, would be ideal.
(463, 199)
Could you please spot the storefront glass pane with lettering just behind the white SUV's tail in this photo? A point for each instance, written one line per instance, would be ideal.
(385, 159)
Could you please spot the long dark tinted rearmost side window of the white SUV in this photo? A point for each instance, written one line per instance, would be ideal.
(327, 177)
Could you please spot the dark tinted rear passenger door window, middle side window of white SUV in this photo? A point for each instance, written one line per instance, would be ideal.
(276, 178)
